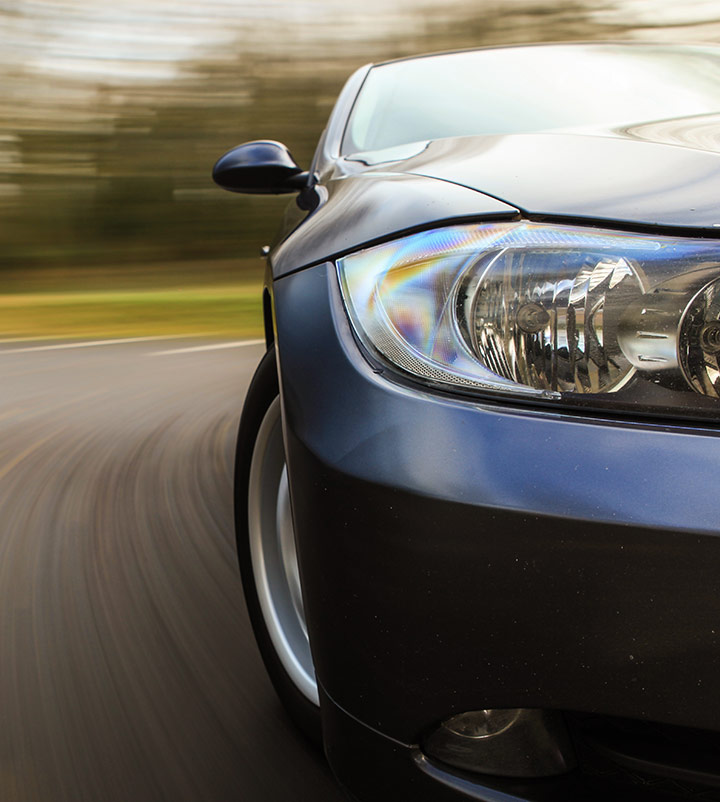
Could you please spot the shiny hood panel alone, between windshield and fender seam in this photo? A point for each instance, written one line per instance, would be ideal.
(657, 174)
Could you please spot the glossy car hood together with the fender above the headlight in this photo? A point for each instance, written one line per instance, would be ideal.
(664, 174)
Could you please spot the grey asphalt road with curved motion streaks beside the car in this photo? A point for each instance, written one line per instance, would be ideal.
(128, 670)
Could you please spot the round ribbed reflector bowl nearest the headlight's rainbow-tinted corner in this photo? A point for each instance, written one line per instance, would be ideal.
(549, 320)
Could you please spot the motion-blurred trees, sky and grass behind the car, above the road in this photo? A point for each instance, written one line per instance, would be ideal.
(112, 113)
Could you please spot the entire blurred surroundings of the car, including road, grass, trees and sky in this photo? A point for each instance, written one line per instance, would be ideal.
(128, 669)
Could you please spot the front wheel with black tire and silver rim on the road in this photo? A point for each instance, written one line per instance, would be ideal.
(266, 551)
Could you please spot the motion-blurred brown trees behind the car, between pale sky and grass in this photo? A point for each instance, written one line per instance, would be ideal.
(113, 172)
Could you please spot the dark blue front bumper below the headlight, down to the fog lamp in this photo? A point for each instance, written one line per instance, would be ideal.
(460, 555)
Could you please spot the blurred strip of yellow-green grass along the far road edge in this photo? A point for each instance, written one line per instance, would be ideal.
(134, 305)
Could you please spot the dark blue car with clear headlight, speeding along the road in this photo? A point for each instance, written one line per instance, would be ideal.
(477, 468)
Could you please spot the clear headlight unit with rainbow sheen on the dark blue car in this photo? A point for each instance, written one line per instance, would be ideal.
(560, 313)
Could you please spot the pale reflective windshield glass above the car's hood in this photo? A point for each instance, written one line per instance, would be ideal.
(522, 89)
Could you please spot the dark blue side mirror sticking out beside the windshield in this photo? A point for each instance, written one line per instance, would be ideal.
(259, 168)
